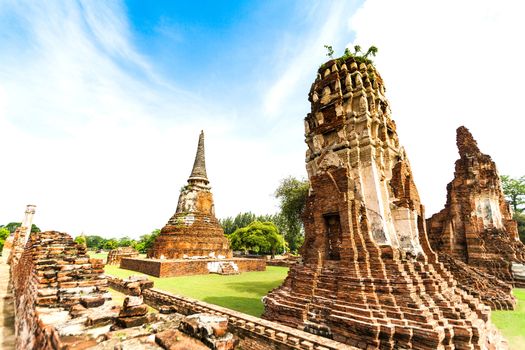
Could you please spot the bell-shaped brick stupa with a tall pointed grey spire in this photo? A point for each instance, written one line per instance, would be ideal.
(193, 230)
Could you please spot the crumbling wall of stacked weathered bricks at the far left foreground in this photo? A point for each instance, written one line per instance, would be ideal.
(47, 275)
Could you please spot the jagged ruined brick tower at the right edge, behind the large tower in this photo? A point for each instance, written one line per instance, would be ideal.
(476, 225)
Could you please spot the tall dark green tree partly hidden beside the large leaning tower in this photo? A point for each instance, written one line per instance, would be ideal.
(292, 194)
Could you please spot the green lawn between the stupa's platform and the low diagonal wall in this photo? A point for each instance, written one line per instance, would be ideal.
(237, 292)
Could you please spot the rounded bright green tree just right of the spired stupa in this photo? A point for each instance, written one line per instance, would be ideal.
(258, 237)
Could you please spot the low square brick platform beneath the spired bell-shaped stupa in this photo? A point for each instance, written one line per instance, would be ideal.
(183, 267)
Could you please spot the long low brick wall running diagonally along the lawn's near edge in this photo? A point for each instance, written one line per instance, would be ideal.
(253, 332)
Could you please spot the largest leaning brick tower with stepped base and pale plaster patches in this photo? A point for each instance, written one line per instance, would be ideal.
(368, 276)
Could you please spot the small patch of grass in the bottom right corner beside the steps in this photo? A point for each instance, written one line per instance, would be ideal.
(512, 323)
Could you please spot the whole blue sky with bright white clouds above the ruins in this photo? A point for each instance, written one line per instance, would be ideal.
(101, 103)
